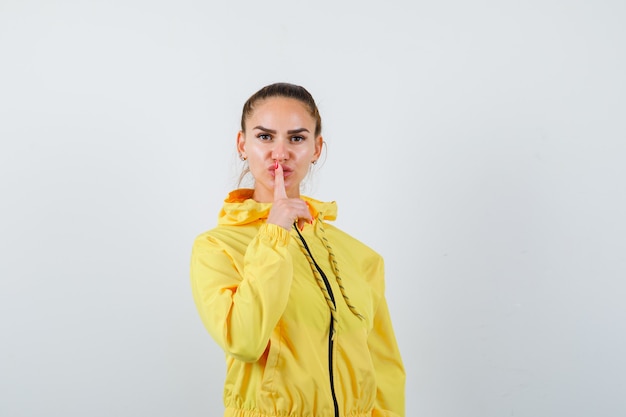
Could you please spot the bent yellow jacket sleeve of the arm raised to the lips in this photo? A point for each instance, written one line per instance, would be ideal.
(240, 307)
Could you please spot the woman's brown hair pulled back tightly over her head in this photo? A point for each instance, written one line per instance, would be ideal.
(283, 90)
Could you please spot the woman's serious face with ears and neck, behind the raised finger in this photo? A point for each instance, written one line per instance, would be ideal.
(279, 129)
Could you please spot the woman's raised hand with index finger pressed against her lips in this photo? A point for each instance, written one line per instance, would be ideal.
(285, 211)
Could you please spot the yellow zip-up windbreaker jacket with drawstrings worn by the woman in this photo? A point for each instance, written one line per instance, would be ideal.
(301, 316)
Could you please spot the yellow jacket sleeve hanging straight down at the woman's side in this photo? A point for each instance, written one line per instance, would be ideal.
(390, 373)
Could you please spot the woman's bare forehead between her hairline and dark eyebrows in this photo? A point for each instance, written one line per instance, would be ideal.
(281, 111)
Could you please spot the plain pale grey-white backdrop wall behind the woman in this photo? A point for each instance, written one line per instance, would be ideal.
(478, 146)
